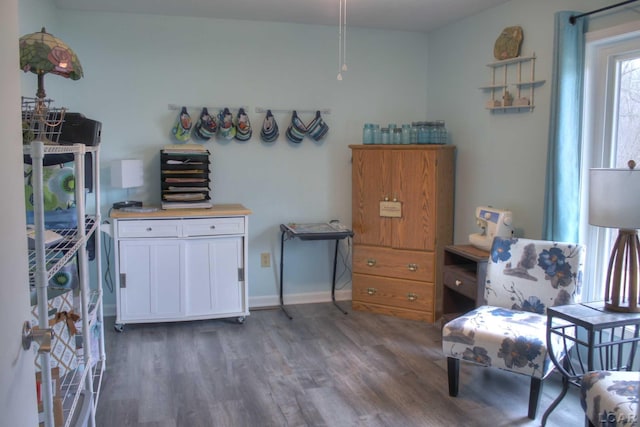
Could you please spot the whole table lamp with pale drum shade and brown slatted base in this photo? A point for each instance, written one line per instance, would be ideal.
(614, 201)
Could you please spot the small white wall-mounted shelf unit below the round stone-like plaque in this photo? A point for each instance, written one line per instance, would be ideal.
(512, 78)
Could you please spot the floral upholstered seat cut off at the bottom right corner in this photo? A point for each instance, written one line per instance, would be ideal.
(611, 397)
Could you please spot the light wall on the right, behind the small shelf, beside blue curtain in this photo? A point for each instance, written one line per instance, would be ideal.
(501, 156)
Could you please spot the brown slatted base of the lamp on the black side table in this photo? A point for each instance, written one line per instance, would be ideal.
(622, 288)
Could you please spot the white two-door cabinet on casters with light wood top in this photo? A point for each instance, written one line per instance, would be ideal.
(180, 264)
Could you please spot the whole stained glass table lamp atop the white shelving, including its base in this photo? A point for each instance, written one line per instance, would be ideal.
(42, 53)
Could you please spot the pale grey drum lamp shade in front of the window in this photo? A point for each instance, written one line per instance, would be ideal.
(614, 198)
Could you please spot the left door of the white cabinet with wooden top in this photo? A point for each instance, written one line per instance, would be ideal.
(152, 275)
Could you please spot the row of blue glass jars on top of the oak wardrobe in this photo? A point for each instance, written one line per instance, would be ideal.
(415, 133)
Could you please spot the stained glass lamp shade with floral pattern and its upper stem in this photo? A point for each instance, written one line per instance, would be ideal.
(42, 53)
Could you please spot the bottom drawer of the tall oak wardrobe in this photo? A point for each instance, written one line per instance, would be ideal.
(393, 292)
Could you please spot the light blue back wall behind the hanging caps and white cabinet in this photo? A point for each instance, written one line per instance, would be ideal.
(135, 65)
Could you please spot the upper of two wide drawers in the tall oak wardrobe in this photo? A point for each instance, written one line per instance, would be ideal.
(412, 265)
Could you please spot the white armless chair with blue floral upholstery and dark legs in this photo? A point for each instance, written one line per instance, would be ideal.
(523, 278)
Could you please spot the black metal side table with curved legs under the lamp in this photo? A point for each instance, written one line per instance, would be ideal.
(592, 339)
